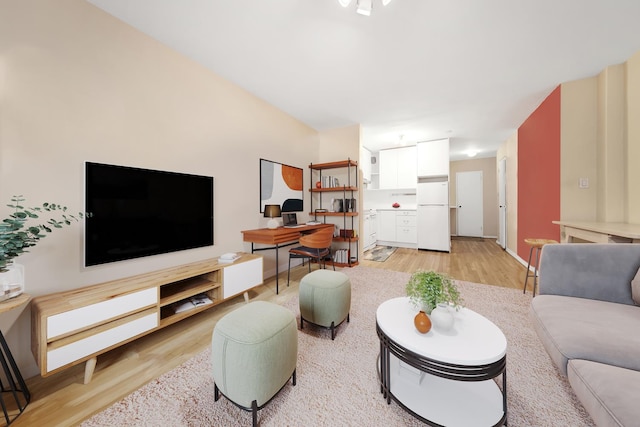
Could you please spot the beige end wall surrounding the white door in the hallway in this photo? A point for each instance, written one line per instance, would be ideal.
(490, 196)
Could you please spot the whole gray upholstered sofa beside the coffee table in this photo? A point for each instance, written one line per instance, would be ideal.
(589, 323)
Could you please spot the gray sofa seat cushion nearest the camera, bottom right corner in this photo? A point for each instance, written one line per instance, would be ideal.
(608, 393)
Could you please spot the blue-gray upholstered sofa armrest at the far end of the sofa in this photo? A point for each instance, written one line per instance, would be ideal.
(601, 271)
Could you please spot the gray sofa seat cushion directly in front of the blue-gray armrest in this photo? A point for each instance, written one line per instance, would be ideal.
(579, 328)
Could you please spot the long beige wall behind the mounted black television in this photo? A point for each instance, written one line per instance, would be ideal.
(77, 85)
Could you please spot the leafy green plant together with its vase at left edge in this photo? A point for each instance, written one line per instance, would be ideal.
(16, 235)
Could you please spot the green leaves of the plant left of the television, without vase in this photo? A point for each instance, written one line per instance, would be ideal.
(16, 235)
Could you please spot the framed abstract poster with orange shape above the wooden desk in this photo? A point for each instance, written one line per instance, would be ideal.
(281, 185)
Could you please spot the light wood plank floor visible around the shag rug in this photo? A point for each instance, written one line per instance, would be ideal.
(63, 399)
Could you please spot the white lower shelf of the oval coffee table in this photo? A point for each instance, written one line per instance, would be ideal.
(443, 402)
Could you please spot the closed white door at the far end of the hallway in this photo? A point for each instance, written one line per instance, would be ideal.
(469, 203)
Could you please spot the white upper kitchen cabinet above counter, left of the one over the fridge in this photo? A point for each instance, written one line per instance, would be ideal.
(398, 168)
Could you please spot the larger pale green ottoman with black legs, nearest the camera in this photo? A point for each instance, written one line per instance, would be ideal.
(254, 352)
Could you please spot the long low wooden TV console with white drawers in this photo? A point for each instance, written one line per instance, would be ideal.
(76, 326)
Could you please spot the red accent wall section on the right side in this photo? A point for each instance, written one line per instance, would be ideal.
(539, 174)
